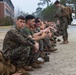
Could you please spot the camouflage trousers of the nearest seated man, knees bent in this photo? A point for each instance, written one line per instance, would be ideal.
(20, 55)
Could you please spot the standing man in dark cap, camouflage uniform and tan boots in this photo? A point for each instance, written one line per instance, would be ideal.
(63, 22)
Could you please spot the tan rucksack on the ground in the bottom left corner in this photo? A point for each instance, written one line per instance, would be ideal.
(6, 68)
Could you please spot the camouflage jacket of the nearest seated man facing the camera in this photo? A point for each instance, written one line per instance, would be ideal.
(14, 39)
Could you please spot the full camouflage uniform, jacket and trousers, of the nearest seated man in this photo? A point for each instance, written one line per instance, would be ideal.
(16, 46)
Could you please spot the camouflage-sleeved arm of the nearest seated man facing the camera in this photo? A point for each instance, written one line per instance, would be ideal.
(20, 39)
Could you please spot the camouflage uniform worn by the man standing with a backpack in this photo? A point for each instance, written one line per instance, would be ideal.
(63, 23)
